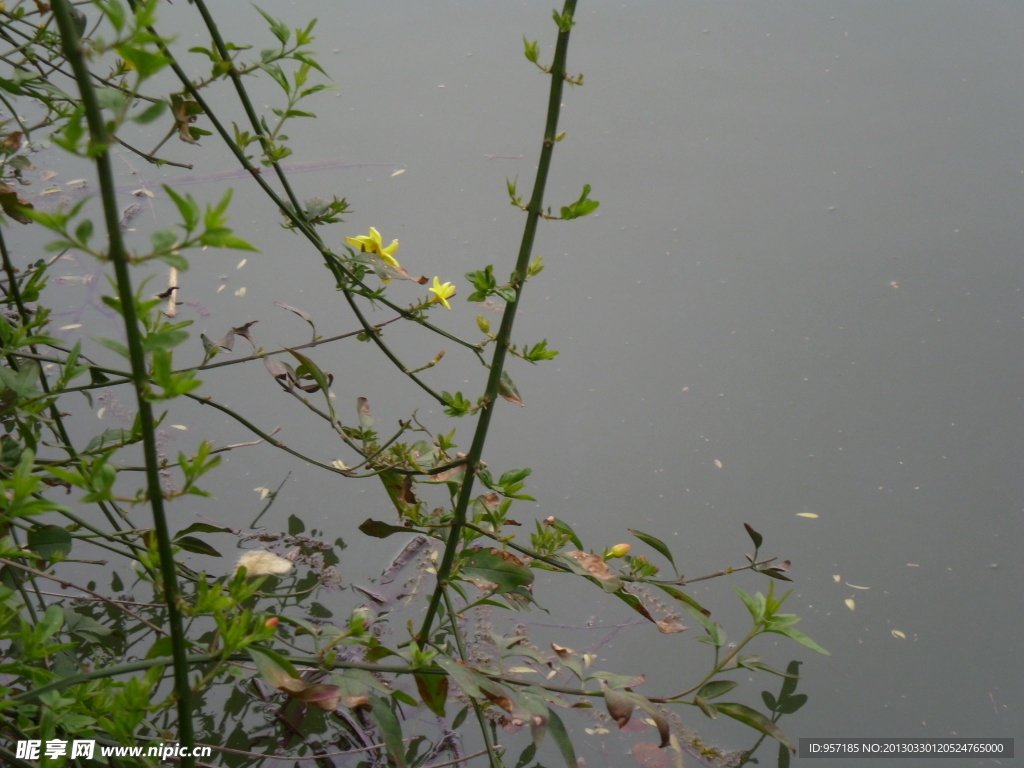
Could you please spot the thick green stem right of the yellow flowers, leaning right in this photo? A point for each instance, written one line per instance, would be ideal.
(508, 318)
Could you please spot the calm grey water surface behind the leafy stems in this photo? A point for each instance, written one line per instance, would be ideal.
(807, 266)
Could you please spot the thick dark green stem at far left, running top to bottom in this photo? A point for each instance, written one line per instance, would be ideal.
(99, 145)
